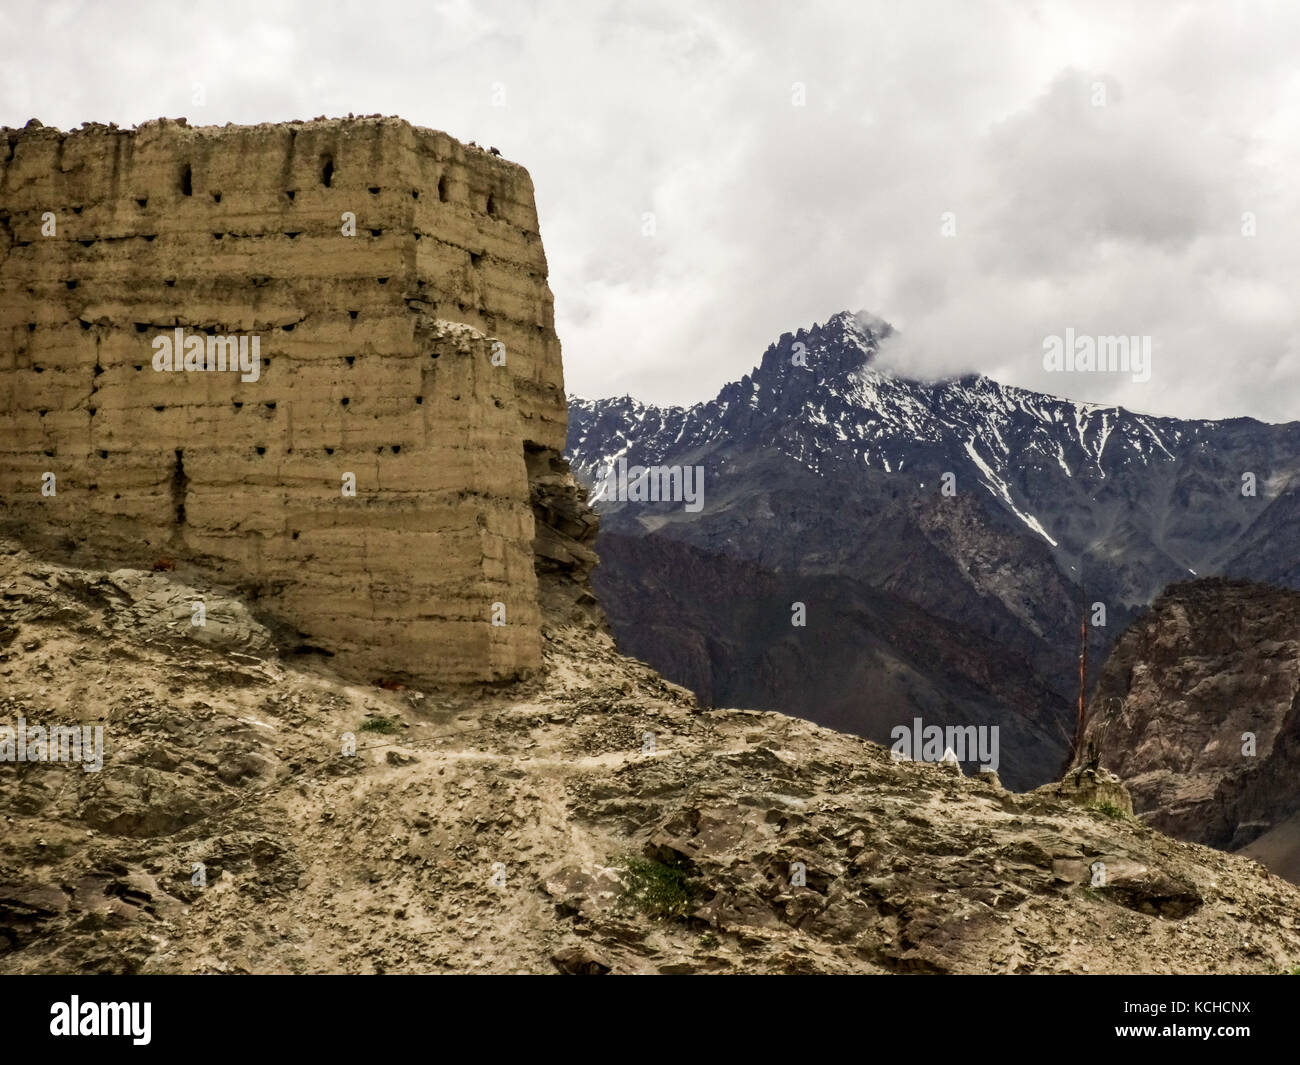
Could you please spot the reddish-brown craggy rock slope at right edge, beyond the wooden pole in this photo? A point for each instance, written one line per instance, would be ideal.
(1197, 711)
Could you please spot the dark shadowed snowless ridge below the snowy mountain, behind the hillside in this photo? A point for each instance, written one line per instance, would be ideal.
(865, 663)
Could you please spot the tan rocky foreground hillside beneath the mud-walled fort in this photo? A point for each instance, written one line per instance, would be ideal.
(591, 820)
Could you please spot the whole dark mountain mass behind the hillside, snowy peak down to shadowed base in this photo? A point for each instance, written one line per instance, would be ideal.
(824, 471)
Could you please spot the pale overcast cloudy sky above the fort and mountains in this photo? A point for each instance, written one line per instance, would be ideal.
(1093, 162)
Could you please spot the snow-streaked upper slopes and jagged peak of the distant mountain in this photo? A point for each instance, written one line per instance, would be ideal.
(1143, 500)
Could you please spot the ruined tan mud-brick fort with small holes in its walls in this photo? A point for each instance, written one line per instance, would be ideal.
(393, 285)
